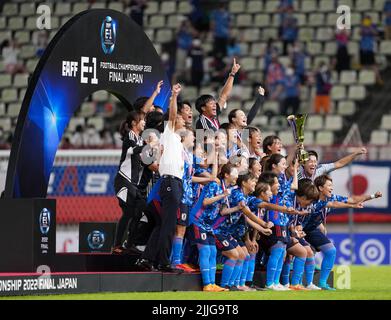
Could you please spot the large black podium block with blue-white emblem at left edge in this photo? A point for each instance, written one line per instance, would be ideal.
(27, 234)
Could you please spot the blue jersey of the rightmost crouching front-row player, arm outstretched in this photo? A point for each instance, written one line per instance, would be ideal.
(319, 212)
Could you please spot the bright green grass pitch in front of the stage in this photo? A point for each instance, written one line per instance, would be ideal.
(372, 283)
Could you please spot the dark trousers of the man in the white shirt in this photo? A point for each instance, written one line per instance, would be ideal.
(159, 245)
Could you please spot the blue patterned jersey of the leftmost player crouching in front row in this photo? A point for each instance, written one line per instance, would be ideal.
(204, 217)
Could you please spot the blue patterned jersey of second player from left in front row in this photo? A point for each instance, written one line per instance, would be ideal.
(226, 224)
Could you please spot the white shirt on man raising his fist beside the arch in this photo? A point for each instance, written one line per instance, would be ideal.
(172, 160)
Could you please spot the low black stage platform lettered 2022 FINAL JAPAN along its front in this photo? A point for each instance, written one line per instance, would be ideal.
(94, 273)
